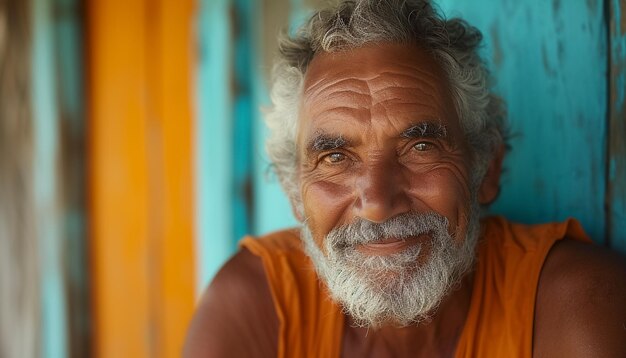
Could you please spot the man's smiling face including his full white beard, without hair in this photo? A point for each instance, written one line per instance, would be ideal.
(380, 147)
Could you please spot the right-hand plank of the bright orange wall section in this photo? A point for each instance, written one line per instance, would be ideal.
(173, 97)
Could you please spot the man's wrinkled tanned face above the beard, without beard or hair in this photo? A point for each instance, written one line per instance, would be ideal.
(379, 137)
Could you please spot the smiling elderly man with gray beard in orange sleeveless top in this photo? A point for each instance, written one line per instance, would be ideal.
(387, 141)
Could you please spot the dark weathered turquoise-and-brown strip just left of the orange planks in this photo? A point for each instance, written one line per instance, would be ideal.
(71, 105)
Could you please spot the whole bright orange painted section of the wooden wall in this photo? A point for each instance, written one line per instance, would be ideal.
(140, 175)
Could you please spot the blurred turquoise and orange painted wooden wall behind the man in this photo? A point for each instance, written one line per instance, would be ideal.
(132, 160)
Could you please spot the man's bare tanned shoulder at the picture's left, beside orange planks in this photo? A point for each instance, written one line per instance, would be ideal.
(235, 316)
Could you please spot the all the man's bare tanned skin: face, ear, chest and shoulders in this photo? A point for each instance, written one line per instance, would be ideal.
(366, 101)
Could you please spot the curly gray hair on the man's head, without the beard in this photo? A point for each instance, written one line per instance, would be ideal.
(352, 24)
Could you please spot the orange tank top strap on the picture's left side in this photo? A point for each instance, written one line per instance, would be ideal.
(311, 324)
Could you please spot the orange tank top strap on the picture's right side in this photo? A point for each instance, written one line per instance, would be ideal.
(510, 258)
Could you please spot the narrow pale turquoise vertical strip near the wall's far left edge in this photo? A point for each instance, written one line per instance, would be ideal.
(46, 156)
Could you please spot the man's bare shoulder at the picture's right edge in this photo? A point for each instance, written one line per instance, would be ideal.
(581, 303)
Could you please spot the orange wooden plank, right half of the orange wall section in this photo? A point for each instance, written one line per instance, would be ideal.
(170, 146)
